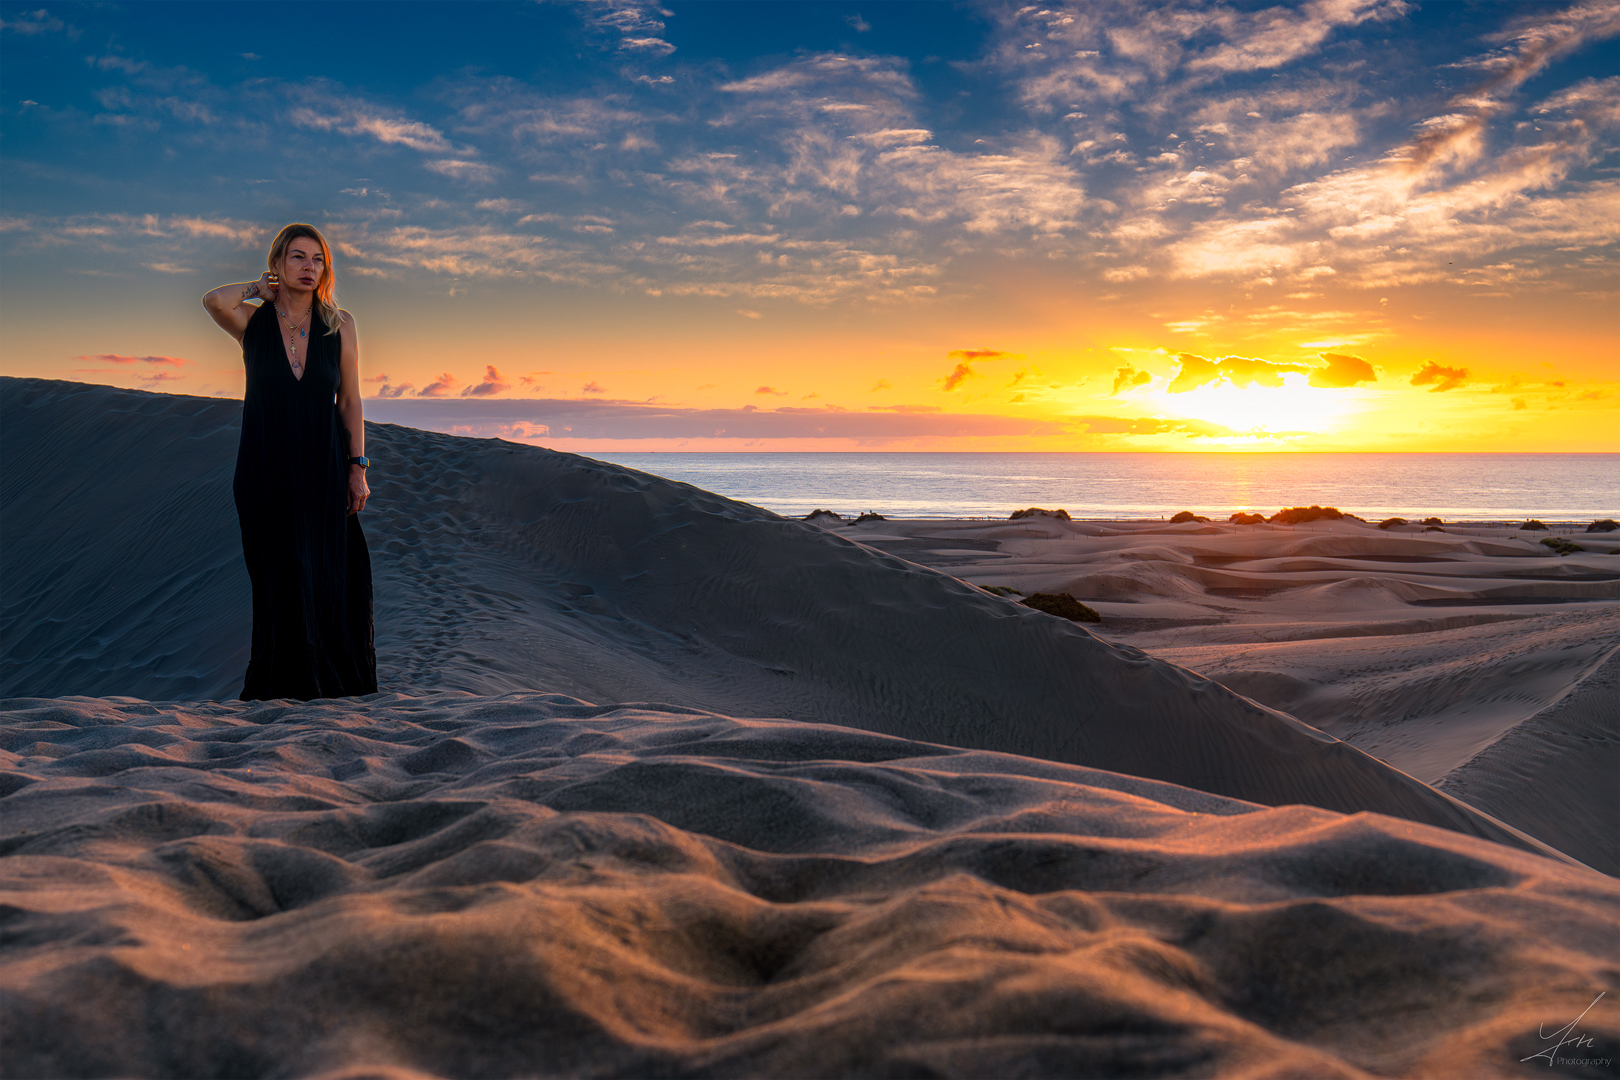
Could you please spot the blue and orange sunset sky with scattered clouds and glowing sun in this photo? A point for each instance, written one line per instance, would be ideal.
(774, 226)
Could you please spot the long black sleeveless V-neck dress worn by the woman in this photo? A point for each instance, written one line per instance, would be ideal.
(307, 555)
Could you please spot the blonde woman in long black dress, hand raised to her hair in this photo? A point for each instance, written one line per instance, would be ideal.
(302, 477)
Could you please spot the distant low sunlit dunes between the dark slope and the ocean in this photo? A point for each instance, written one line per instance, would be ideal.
(1444, 655)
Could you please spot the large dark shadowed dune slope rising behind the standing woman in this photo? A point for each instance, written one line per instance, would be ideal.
(505, 568)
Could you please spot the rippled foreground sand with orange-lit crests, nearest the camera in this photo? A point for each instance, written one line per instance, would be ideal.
(527, 885)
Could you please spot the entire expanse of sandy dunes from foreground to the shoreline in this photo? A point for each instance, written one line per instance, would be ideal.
(667, 784)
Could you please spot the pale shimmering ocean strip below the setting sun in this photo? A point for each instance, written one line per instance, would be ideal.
(1452, 487)
